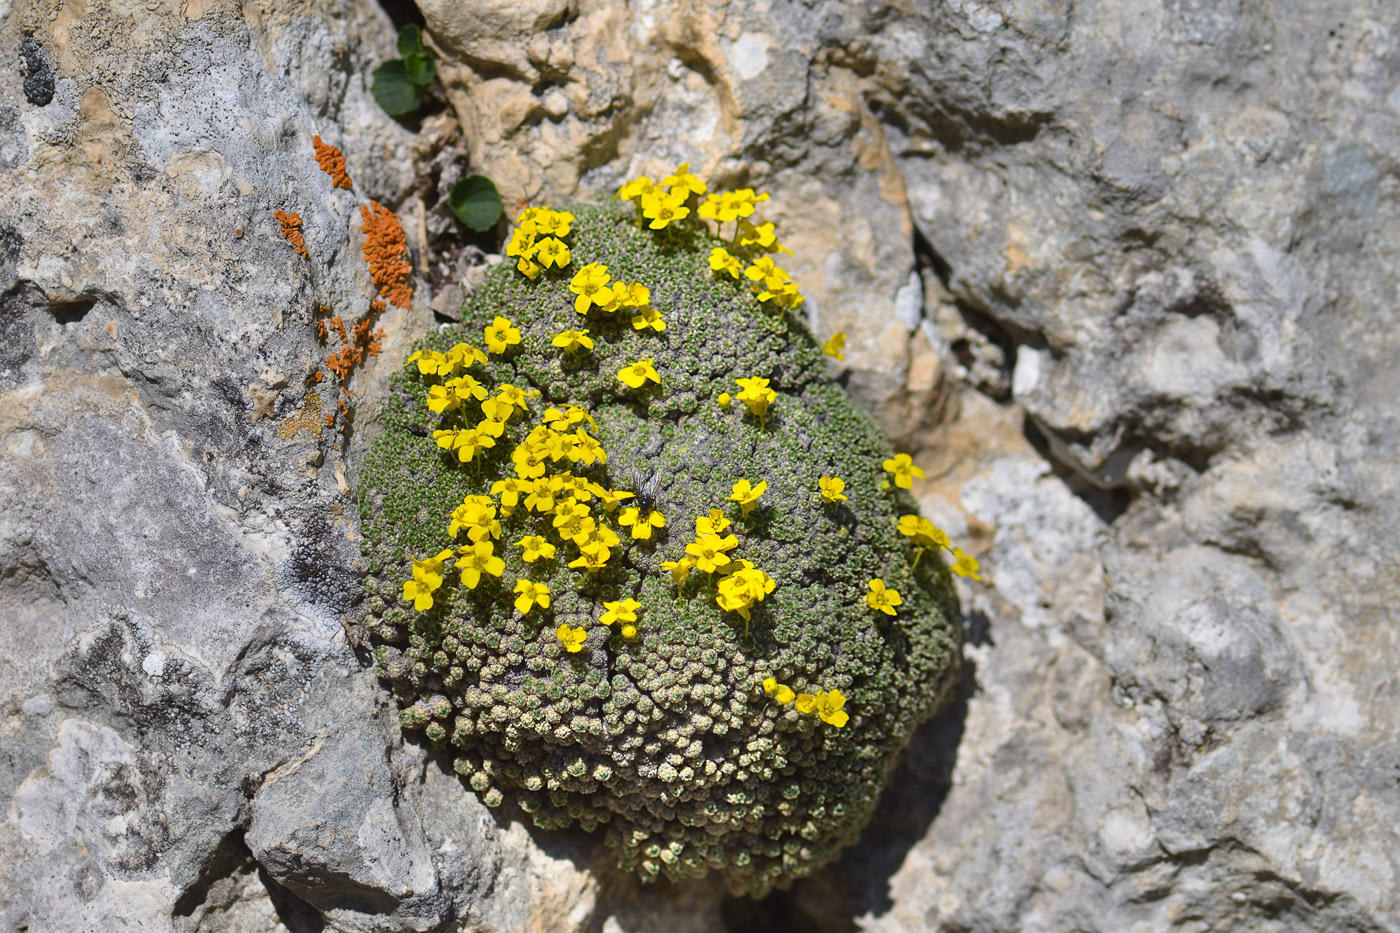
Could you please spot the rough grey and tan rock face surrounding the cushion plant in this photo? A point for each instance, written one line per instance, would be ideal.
(1119, 274)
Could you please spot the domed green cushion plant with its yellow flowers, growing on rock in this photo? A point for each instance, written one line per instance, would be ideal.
(656, 620)
